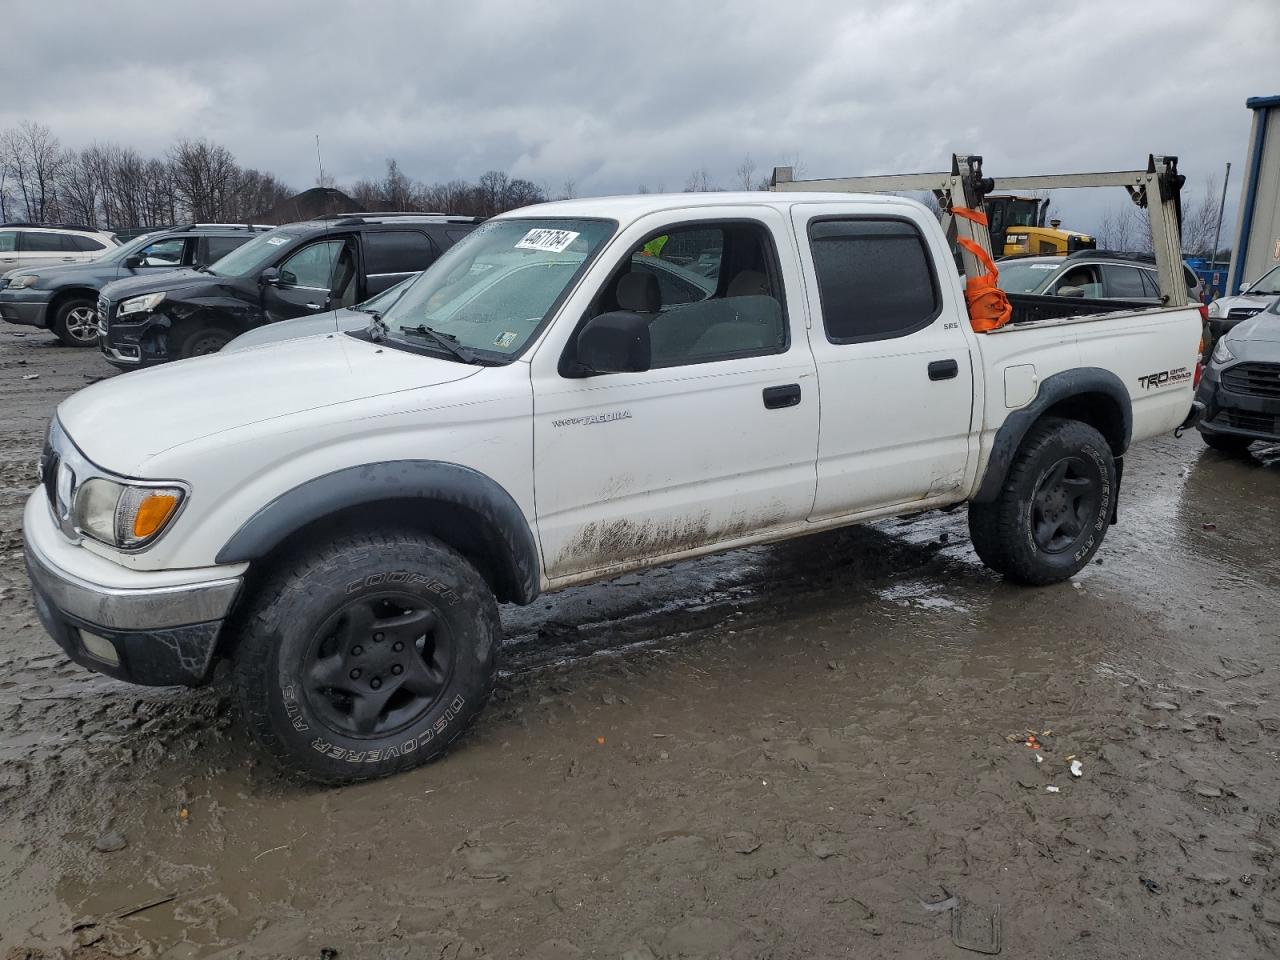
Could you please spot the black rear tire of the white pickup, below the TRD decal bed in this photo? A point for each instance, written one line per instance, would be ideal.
(1004, 532)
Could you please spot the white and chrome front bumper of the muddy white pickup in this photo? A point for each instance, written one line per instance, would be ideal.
(140, 628)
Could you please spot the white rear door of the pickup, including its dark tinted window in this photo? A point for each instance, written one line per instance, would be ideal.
(894, 368)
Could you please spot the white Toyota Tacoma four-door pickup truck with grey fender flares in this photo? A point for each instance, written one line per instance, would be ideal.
(574, 391)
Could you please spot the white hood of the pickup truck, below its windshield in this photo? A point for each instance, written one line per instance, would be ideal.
(122, 423)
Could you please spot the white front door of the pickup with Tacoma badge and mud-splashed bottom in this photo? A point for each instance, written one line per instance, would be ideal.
(717, 440)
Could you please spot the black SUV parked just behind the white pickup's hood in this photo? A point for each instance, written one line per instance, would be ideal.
(295, 271)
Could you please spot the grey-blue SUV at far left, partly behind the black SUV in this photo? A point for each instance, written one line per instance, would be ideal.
(63, 299)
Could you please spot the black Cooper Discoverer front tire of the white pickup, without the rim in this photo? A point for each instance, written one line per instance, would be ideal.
(280, 653)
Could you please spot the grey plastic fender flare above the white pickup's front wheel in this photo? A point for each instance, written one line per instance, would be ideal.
(505, 529)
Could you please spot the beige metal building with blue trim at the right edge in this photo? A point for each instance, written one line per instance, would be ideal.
(1258, 235)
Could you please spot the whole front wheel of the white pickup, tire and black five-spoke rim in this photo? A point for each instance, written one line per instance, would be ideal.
(368, 657)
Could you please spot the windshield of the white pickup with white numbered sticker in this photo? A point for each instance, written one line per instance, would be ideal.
(492, 291)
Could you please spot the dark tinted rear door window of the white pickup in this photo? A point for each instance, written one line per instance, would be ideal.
(876, 280)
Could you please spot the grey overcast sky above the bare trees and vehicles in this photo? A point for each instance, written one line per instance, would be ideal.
(612, 97)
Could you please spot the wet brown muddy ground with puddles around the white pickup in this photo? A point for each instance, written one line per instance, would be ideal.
(784, 752)
